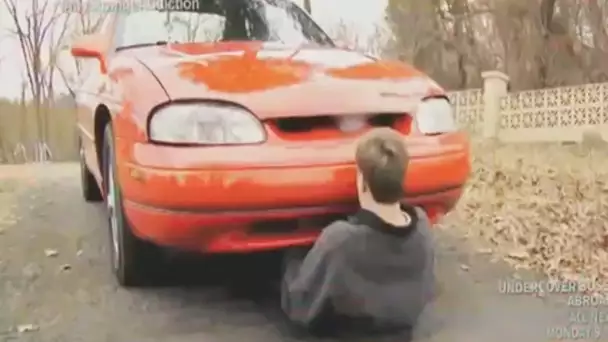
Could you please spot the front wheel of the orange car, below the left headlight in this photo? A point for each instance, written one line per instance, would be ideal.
(134, 261)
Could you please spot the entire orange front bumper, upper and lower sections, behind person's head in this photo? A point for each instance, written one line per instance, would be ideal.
(219, 199)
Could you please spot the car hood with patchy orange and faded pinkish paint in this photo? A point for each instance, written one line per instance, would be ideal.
(274, 80)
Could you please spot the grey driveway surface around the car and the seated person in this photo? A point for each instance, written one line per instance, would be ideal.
(55, 283)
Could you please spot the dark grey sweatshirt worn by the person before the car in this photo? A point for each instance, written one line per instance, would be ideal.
(362, 273)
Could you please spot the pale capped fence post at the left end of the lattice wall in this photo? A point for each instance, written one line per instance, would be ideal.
(494, 88)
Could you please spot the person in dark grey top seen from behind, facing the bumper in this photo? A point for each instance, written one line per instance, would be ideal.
(374, 272)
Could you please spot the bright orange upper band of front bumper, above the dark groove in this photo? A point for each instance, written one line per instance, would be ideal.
(251, 187)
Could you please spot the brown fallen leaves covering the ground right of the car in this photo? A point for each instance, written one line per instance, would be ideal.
(542, 207)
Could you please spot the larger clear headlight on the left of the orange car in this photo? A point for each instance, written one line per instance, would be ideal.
(205, 124)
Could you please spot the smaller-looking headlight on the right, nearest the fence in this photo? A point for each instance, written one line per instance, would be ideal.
(435, 115)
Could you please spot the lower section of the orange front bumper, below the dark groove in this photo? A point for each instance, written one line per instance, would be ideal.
(254, 230)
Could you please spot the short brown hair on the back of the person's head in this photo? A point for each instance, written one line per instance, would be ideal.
(382, 159)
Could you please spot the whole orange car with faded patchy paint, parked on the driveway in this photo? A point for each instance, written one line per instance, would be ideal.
(230, 126)
